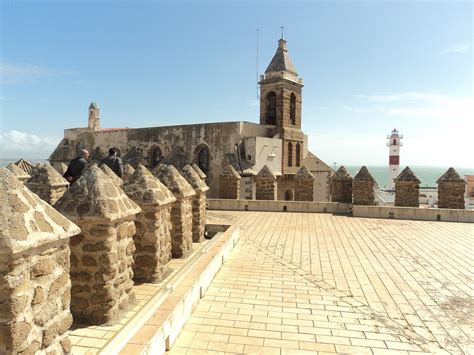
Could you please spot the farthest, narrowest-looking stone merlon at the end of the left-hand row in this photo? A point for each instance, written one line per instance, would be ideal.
(199, 202)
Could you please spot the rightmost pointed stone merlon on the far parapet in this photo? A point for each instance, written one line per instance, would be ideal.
(451, 189)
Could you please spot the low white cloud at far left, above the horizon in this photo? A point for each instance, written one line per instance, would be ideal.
(15, 143)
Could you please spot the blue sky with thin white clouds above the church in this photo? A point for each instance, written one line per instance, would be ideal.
(368, 67)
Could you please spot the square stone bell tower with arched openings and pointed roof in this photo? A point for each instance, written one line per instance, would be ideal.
(280, 106)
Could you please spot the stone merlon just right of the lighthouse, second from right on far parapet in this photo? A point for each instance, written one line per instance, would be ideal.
(407, 189)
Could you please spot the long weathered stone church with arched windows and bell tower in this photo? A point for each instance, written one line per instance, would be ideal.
(277, 141)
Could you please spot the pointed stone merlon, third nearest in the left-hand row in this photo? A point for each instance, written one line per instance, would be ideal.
(153, 225)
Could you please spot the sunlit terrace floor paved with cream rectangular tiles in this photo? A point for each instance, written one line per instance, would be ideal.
(308, 283)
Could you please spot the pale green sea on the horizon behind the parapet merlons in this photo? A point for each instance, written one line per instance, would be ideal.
(427, 174)
